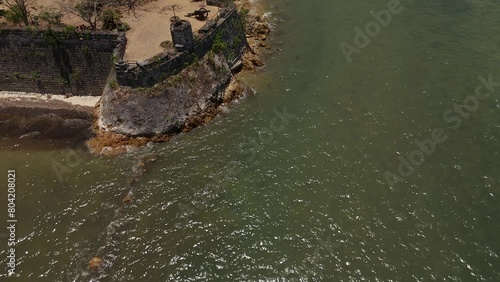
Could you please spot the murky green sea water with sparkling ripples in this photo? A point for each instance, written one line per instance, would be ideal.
(312, 203)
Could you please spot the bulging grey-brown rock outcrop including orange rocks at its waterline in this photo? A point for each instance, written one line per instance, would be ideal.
(131, 118)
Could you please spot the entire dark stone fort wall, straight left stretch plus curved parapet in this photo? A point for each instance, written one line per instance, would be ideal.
(81, 62)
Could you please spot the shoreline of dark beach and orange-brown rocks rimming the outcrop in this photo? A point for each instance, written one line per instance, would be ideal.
(103, 142)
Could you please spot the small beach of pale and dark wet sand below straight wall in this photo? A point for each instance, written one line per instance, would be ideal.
(28, 119)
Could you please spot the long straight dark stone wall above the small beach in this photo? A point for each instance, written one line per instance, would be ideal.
(58, 61)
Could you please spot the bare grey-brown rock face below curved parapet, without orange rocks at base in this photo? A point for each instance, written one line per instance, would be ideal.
(168, 106)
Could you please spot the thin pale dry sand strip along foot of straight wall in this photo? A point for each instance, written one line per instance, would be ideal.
(85, 101)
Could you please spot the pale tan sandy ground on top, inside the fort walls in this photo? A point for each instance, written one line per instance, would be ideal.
(150, 25)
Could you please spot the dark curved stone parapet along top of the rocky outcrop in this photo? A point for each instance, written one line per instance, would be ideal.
(223, 33)
